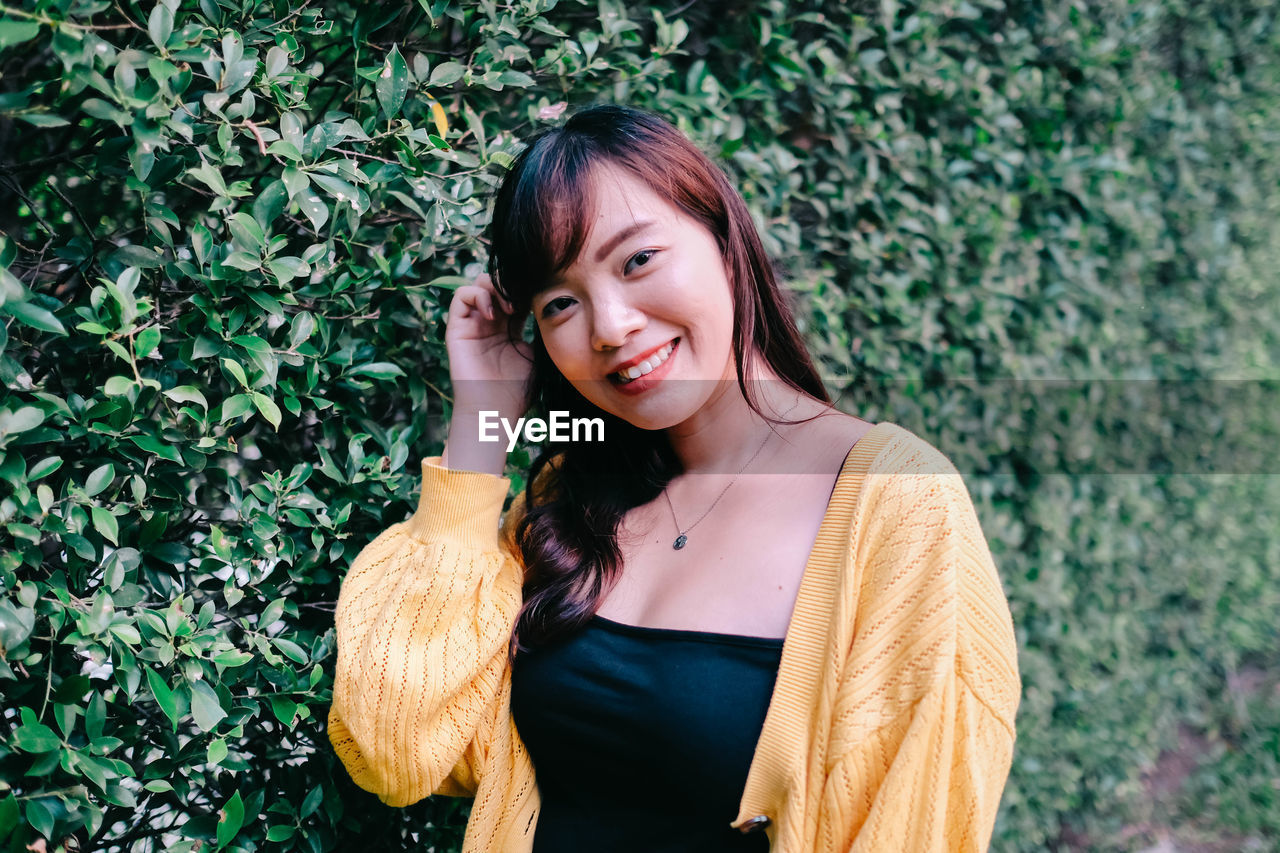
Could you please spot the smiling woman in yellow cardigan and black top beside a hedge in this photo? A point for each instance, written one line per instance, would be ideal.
(740, 622)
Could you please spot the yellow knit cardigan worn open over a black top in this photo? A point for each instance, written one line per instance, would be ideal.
(892, 726)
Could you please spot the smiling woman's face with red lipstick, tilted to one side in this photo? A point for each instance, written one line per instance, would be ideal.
(650, 294)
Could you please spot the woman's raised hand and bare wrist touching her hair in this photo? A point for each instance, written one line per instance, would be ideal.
(490, 371)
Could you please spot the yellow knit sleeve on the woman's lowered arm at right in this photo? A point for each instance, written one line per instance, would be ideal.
(924, 732)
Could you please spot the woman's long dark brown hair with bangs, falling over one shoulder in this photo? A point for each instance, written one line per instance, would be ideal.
(578, 494)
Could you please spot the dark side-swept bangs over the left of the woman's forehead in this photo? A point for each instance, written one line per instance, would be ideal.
(542, 221)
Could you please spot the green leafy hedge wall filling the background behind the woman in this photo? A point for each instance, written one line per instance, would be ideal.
(1044, 236)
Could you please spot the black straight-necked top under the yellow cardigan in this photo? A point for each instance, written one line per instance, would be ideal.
(642, 738)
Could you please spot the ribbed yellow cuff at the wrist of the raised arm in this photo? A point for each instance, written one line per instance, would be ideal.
(459, 507)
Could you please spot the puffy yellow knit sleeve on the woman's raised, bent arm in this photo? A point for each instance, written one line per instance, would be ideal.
(423, 623)
